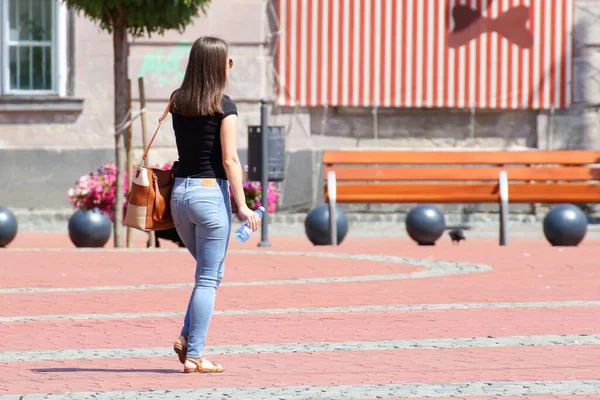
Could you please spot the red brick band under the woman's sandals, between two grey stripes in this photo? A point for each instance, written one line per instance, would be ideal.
(324, 368)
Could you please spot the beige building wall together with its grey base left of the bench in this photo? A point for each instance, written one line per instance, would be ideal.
(77, 130)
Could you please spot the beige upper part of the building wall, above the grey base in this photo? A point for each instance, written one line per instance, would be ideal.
(247, 25)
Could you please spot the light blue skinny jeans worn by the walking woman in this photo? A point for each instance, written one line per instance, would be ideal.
(201, 210)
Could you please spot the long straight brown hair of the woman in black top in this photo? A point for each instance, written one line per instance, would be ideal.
(205, 80)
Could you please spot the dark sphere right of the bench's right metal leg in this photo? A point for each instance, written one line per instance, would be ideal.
(565, 225)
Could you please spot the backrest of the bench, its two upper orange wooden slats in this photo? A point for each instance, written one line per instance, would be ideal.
(389, 165)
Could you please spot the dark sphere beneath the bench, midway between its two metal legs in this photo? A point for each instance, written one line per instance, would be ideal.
(425, 224)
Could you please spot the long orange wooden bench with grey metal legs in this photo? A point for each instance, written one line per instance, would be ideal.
(400, 176)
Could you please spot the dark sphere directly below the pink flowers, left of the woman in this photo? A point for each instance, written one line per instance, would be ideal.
(89, 228)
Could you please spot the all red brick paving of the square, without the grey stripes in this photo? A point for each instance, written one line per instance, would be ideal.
(526, 270)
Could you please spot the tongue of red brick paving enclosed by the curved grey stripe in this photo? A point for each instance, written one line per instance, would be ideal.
(114, 268)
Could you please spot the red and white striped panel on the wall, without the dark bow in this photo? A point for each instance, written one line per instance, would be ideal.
(394, 53)
